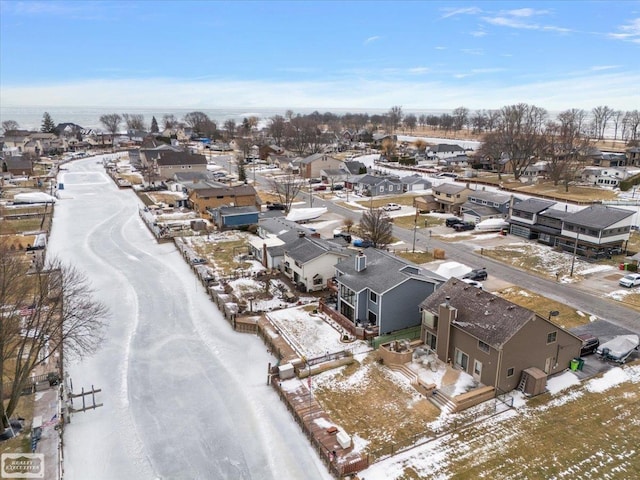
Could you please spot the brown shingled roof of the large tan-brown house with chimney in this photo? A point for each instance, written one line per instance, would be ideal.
(487, 317)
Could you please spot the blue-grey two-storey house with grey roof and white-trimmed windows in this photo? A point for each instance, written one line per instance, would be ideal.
(377, 290)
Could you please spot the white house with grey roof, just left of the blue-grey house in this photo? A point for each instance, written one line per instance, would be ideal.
(309, 262)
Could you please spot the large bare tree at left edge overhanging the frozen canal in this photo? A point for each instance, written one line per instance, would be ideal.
(48, 312)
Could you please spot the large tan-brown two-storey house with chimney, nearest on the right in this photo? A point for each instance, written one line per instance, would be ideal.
(491, 338)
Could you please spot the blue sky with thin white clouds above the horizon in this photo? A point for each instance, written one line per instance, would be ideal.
(324, 55)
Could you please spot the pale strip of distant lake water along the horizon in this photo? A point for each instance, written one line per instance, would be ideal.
(30, 118)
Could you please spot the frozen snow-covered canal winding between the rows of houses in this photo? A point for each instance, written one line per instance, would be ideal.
(184, 396)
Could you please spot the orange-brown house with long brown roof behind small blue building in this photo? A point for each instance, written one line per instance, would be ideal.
(205, 195)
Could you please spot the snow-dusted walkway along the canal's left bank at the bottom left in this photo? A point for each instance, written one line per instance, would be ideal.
(46, 417)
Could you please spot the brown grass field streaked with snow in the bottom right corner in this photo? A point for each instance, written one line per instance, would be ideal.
(564, 434)
